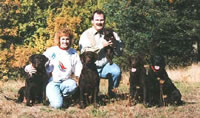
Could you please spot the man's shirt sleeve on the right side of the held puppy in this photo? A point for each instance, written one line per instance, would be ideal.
(119, 45)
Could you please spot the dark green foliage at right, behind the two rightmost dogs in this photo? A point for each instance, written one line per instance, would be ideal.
(155, 27)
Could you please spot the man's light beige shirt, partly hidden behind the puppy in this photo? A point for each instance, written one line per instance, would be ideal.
(90, 40)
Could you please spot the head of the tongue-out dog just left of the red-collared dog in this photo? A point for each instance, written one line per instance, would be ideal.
(136, 62)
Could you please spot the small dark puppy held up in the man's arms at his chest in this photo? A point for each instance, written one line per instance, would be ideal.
(109, 36)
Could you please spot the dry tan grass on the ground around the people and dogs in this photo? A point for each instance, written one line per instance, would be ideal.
(186, 79)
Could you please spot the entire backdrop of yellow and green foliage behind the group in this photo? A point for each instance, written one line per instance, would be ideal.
(154, 26)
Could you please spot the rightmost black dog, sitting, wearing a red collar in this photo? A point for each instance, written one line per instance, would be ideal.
(162, 91)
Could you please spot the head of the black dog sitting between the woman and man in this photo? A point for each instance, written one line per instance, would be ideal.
(88, 57)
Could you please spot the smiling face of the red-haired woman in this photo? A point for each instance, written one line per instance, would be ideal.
(65, 42)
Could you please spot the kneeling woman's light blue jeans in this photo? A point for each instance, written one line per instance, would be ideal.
(56, 90)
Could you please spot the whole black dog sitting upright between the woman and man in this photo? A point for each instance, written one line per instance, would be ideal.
(89, 79)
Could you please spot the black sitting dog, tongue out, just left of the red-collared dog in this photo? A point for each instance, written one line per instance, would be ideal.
(137, 80)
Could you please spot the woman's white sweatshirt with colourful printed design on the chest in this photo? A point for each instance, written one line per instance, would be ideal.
(63, 63)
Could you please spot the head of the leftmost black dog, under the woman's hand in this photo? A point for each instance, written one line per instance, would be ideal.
(38, 61)
